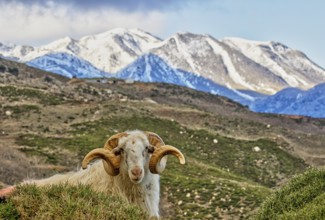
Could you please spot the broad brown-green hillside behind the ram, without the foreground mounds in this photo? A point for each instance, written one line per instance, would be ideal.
(234, 157)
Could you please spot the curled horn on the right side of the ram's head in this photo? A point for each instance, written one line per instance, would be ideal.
(159, 153)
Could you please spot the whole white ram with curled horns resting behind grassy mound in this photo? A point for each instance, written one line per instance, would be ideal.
(130, 166)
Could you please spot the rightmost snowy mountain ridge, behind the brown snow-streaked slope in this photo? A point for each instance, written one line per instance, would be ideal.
(291, 65)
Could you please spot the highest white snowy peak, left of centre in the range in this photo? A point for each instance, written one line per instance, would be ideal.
(115, 49)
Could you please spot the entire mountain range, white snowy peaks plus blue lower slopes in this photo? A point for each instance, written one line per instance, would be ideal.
(239, 69)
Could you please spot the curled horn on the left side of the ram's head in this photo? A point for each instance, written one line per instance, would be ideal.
(111, 161)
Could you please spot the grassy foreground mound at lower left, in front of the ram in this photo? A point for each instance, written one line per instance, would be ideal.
(66, 202)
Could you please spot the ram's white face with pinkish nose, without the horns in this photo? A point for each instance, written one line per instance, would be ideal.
(136, 153)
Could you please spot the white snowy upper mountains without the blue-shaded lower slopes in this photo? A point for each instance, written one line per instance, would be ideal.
(265, 67)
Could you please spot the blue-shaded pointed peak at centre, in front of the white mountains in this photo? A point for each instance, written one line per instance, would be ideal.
(151, 68)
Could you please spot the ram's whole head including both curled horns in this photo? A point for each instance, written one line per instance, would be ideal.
(135, 152)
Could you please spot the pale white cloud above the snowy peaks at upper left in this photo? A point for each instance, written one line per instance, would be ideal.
(36, 24)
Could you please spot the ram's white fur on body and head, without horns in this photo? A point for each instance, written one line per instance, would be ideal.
(145, 193)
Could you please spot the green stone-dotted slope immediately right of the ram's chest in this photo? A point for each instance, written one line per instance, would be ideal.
(200, 191)
